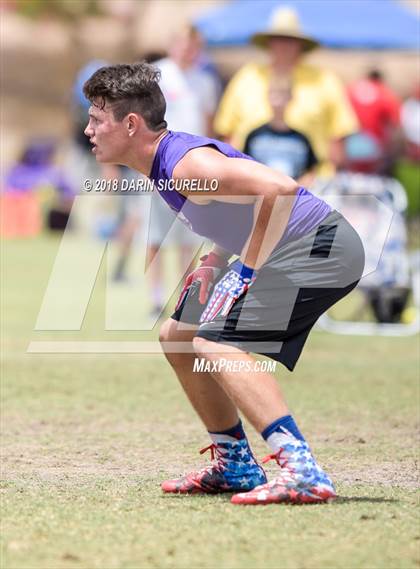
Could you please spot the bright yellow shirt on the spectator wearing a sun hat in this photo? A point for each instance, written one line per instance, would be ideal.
(319, 107)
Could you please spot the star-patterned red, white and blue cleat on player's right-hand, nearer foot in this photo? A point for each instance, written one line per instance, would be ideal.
(301, 480)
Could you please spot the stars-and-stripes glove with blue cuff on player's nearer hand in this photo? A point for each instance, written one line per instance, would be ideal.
(234, 284)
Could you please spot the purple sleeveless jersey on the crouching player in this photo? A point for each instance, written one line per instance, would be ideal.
(227, 225)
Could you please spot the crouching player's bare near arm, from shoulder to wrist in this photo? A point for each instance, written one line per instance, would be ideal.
(244, 181)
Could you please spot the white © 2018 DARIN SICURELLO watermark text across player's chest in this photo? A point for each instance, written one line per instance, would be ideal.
(145, 185)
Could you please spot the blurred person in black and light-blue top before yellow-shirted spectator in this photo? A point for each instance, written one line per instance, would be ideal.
(276, 144)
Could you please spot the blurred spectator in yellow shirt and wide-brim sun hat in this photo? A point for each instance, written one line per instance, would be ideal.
(319, 107)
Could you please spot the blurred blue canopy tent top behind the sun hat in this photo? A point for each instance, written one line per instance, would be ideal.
(356, 24)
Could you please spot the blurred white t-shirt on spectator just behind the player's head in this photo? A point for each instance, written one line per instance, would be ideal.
(191, 95)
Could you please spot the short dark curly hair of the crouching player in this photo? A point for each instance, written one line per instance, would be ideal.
(129, 88)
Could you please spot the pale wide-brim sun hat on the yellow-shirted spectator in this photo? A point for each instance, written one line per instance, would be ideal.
(284, 23)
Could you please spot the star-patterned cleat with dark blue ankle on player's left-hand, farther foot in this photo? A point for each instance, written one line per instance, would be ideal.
(233, 468)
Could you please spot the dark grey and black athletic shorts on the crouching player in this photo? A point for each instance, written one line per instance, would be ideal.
(299, 282)
